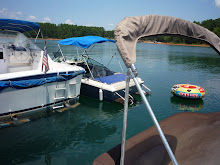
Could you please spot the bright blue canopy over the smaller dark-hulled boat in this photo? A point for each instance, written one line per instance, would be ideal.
(84, 42)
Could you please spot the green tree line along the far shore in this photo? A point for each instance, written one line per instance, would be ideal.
(62, 31)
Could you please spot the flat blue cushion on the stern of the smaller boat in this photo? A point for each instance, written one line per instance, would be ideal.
(112, 78)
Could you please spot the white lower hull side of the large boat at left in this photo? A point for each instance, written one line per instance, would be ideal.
(15, 100)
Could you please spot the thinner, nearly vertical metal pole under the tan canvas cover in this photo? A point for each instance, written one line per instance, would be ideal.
(125, 119)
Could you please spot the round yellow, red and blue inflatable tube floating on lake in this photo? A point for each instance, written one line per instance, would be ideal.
(188, 91)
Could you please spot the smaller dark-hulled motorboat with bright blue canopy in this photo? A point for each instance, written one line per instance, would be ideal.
(99, 81)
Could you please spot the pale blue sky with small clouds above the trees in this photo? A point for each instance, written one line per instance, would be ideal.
(106, 13)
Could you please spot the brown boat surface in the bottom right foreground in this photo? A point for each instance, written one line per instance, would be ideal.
(193, 137)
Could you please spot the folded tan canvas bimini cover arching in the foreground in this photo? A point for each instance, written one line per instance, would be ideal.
(130, 29)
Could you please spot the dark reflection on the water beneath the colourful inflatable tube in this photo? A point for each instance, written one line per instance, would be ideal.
(186, 104)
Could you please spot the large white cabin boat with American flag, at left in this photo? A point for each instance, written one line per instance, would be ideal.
(25, 83)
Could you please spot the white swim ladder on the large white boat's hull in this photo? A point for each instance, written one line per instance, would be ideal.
(60, 97)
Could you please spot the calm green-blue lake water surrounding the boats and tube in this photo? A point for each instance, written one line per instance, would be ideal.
(79, 135)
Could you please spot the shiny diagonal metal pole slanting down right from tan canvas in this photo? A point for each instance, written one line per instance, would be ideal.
(133, 73)
